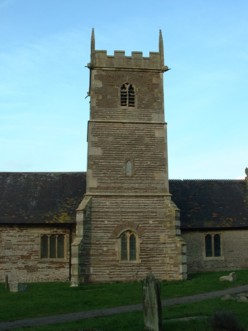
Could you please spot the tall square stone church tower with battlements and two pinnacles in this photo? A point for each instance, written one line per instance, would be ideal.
(127, 224)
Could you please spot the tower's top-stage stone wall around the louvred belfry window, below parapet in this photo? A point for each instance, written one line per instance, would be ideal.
(105, 96)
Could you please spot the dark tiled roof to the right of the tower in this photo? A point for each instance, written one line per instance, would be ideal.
(206, 204)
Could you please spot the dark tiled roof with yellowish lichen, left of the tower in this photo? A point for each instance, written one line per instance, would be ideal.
(40, 197)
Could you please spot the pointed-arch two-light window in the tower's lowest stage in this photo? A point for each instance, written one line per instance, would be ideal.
(128, 246)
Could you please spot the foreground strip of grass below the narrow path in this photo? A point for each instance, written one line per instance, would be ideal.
(174, 318)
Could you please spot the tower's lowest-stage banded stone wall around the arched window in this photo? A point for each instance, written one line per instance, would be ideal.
(160, 245)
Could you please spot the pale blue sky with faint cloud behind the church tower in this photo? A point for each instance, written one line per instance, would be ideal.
(45, 46)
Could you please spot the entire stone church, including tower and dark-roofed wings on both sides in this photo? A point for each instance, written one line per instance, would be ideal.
(122, 218)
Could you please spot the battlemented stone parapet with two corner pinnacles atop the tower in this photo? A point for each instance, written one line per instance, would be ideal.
(100, 58)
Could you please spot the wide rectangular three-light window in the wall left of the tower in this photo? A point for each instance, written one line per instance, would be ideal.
(53, 246)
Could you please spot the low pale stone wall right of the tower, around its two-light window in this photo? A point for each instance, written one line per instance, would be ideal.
(234, 255)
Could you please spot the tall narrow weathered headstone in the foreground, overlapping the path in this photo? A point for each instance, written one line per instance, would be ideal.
(152, 304)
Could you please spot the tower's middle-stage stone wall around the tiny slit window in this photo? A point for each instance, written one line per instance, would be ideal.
(111, 145)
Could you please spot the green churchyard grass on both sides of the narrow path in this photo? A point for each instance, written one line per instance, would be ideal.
(42, 299)
